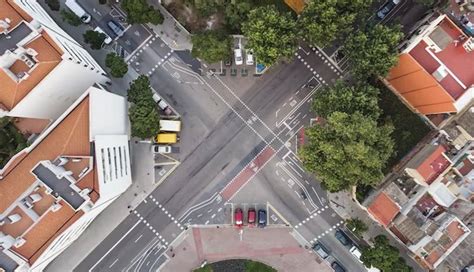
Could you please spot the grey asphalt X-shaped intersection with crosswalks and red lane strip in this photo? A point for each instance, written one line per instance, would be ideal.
(231, 141)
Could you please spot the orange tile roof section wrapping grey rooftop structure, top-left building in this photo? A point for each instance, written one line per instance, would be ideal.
(13, 92)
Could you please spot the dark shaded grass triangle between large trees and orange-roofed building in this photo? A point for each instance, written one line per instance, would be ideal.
(409, 127)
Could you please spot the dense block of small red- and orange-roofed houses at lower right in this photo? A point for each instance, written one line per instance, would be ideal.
(428, 206)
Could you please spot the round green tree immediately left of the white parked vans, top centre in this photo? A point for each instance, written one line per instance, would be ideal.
(211, 46)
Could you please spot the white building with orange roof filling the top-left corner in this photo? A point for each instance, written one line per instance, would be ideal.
(42, 69)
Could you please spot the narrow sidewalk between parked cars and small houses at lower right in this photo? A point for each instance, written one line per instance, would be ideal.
(346, 207)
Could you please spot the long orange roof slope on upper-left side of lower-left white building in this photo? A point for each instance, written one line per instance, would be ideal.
(69, 137)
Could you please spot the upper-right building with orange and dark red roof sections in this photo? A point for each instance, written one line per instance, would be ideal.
(434, 75)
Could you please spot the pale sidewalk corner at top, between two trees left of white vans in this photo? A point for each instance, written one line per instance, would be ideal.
(171, 31)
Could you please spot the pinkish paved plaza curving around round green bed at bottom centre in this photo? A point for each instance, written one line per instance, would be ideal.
(272, 246)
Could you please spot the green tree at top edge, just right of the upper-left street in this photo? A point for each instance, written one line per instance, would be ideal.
(139, 12)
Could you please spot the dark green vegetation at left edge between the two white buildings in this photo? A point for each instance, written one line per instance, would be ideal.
(11, 140)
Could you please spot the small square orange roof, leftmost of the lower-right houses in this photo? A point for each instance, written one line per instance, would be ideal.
(384, 209)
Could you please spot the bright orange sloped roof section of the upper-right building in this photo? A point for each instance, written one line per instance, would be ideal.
(419, 88)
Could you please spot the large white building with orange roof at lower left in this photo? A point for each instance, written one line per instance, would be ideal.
(70, 174)
